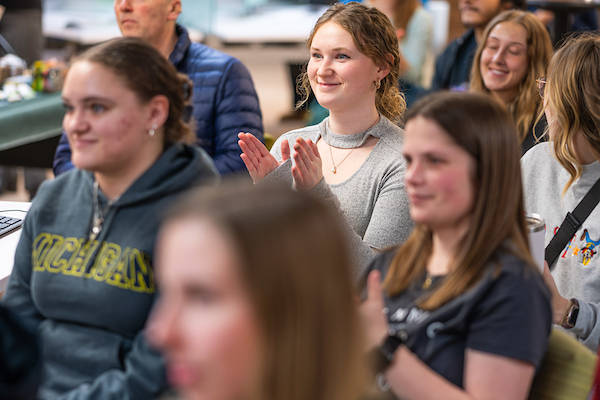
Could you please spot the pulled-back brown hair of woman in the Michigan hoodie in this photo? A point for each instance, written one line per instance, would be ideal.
(147, 73)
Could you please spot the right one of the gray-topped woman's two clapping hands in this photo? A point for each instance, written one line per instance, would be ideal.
(308, 170)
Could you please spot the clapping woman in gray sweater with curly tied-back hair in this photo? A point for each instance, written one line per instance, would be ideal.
(352, 159)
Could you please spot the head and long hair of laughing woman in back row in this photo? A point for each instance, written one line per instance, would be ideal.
(514, 52)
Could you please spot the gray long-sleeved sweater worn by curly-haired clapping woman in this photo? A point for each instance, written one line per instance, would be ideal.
(373, 200)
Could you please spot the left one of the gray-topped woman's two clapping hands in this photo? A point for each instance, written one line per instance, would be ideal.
(257, 158)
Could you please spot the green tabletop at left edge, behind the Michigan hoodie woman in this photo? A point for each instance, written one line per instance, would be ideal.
(30, 121)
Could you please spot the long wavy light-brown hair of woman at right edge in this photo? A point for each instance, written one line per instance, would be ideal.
(573, 93)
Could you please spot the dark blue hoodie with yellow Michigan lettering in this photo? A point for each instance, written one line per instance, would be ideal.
(90, 300)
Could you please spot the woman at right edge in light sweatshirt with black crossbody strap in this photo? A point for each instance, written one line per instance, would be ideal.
(557, 175)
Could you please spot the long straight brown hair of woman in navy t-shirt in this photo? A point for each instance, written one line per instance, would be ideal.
(484, 129)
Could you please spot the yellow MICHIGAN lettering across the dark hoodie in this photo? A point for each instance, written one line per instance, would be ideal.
(128, 268)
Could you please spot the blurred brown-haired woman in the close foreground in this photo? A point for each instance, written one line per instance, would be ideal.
(257, 299)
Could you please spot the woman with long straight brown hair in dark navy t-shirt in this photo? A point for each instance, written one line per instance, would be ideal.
(468, 314)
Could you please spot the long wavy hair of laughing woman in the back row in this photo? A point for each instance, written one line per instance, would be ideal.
(527, 105)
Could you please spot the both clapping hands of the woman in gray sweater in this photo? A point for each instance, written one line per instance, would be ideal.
(307, 172)
